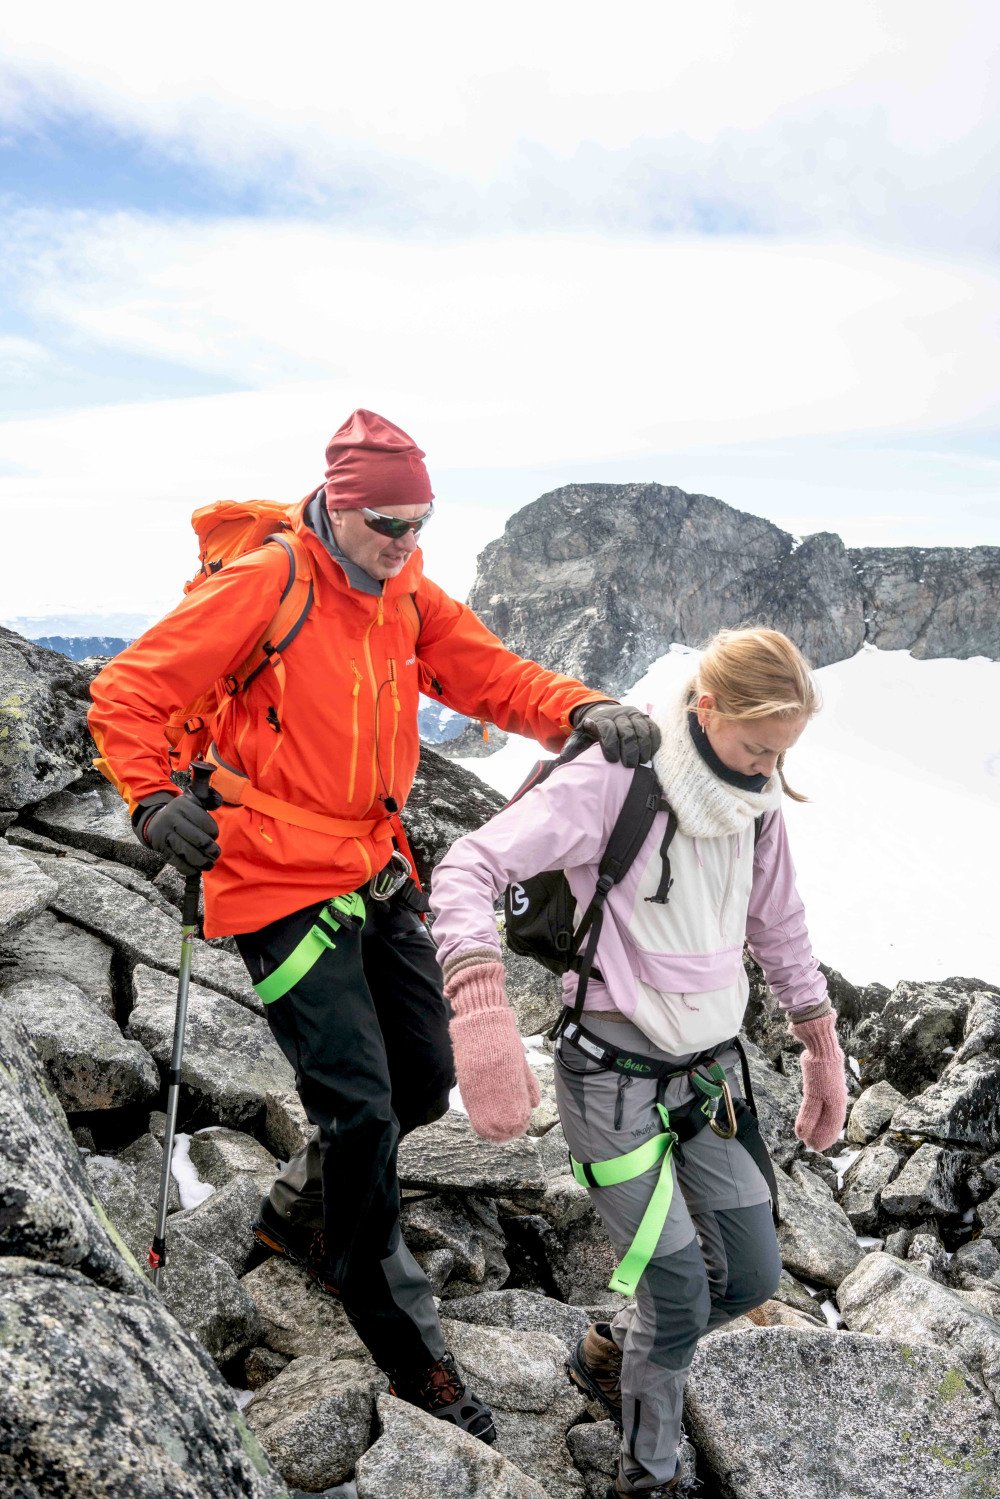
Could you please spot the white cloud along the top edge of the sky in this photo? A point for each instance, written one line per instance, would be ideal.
(867, 118)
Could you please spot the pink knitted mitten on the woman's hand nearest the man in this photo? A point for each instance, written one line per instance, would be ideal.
(499, 1088)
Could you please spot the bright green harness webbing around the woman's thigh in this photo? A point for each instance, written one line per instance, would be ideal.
(659, 1150)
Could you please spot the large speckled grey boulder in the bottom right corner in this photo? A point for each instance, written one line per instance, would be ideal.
(822, 1414)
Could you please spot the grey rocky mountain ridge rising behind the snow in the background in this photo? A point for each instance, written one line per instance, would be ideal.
(600, 579)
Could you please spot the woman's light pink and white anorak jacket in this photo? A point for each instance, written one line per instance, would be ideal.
(675, 971)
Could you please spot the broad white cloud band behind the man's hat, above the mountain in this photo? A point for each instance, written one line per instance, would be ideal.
(500, 356)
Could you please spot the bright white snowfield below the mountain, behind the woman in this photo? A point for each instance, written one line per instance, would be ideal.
(899, 848)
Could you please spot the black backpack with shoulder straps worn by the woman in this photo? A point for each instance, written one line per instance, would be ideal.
(539, 912)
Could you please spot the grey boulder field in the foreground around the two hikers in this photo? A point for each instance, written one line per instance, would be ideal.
(875, 1372)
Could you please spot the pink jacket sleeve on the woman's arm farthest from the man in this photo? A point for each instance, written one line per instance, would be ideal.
(776, 924)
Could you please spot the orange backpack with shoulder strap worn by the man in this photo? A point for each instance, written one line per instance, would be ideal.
(230, 530)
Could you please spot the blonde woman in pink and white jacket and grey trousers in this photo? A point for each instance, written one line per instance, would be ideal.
(653, 1059)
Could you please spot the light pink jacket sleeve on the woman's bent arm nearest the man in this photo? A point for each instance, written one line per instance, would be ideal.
(563, 824)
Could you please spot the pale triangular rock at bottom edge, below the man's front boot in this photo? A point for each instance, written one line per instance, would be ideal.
(419, 1456)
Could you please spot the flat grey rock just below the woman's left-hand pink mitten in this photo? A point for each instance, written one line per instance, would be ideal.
(449, 1156)
